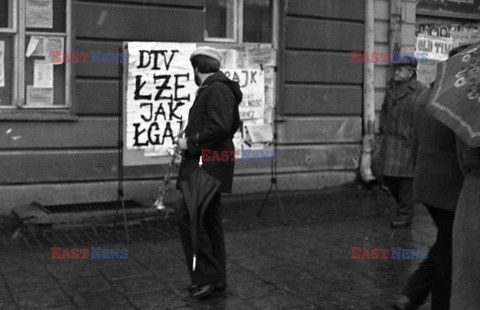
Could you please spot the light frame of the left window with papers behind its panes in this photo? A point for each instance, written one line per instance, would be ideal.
(18, 108)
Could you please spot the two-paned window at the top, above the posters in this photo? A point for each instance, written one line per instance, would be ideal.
(239, 21)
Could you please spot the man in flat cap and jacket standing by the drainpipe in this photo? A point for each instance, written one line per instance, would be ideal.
(396, 123)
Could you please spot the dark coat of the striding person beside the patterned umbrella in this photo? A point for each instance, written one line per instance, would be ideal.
(437, 178)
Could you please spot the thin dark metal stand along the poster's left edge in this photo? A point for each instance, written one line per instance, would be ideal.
(121, 199)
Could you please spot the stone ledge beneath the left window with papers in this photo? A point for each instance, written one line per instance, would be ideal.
(37, 116)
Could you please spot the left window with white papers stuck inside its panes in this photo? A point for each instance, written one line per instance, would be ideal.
(29, 31)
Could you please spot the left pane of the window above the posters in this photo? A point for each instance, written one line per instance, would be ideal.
(219, 19)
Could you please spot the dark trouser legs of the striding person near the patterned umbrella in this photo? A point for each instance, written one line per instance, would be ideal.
(434, 273)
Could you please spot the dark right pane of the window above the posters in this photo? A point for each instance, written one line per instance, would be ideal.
(257, 21)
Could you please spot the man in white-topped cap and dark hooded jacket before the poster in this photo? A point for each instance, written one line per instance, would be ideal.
(213, 120)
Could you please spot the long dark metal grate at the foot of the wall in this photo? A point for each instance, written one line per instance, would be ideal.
(91, 207)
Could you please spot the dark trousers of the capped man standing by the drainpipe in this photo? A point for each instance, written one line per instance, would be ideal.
(402, 190)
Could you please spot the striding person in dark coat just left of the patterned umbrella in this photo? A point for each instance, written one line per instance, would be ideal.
(437, 183)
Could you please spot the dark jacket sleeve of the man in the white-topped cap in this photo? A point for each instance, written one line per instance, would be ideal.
(220, 111)
